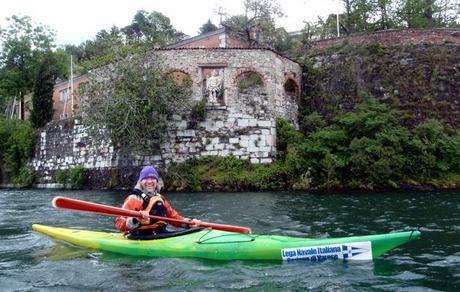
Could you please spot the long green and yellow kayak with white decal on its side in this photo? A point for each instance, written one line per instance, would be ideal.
(222, 245)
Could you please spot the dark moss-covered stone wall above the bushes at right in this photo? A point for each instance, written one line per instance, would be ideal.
(421, 81)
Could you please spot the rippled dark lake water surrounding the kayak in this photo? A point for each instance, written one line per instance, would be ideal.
(33, 262)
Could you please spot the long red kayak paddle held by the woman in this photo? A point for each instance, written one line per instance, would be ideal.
(78, 205)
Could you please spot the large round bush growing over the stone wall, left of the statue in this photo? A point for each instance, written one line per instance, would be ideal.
(133, 102)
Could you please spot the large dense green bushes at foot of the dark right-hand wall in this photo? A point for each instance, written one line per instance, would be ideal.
(368, 148)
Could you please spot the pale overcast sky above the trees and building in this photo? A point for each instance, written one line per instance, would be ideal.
(77, 21)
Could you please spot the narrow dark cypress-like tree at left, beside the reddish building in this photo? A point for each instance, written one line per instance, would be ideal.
(42, 99)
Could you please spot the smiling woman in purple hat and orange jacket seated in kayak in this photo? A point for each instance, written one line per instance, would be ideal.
(146, 199)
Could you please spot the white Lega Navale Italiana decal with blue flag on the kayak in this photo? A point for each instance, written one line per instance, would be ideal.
(346, 251)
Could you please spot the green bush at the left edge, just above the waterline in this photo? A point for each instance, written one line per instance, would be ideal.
(16, 146)
